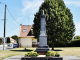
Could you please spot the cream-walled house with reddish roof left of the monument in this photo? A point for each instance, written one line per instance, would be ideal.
(26, 38)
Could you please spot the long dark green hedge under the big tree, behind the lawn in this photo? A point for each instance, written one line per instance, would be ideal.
(72, 43)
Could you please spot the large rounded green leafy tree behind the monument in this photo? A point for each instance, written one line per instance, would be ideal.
(59, 21)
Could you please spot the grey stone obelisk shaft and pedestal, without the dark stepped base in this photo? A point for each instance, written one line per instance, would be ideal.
(43, 35)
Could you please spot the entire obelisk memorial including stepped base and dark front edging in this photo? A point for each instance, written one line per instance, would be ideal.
(43, 48)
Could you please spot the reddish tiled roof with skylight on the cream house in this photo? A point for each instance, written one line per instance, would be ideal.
(26, 32)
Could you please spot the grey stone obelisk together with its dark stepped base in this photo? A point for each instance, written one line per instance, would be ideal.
(43, 47)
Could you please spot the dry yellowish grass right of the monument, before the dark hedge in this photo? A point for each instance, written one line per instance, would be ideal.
(69, 51)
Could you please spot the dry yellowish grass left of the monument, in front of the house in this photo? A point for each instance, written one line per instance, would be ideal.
(17, 51)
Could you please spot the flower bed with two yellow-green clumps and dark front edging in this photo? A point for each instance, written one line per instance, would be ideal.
(50, 55)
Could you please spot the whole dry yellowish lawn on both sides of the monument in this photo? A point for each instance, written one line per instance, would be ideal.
(69, 51)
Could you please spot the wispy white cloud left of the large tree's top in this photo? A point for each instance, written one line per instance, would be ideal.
(30, 7)
